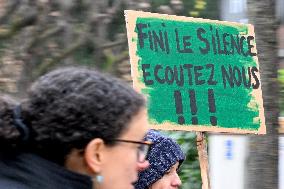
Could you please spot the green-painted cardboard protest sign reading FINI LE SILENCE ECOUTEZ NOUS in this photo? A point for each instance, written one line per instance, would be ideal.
(197, 74)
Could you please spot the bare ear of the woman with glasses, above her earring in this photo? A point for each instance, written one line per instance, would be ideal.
(94, 155)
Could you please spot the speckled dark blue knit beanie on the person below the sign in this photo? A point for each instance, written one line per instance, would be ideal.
(164, 153)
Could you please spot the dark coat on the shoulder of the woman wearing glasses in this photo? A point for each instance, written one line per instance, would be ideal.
(29, 171)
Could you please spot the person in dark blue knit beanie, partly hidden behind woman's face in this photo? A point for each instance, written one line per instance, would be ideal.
(165, 157)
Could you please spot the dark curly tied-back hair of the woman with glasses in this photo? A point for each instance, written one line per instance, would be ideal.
(66, 109)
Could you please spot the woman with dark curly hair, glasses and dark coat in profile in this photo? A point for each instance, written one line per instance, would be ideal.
(78, 128)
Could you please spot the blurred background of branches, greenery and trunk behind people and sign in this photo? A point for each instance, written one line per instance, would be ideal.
(39, 35)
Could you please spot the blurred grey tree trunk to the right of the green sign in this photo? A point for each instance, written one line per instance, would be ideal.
(263, 150)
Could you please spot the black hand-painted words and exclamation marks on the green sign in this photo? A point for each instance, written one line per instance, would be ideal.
(210, 41)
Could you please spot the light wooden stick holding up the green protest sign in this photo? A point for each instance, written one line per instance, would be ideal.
(203, 159)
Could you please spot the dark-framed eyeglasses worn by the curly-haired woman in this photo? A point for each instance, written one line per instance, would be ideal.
(143, 148)
